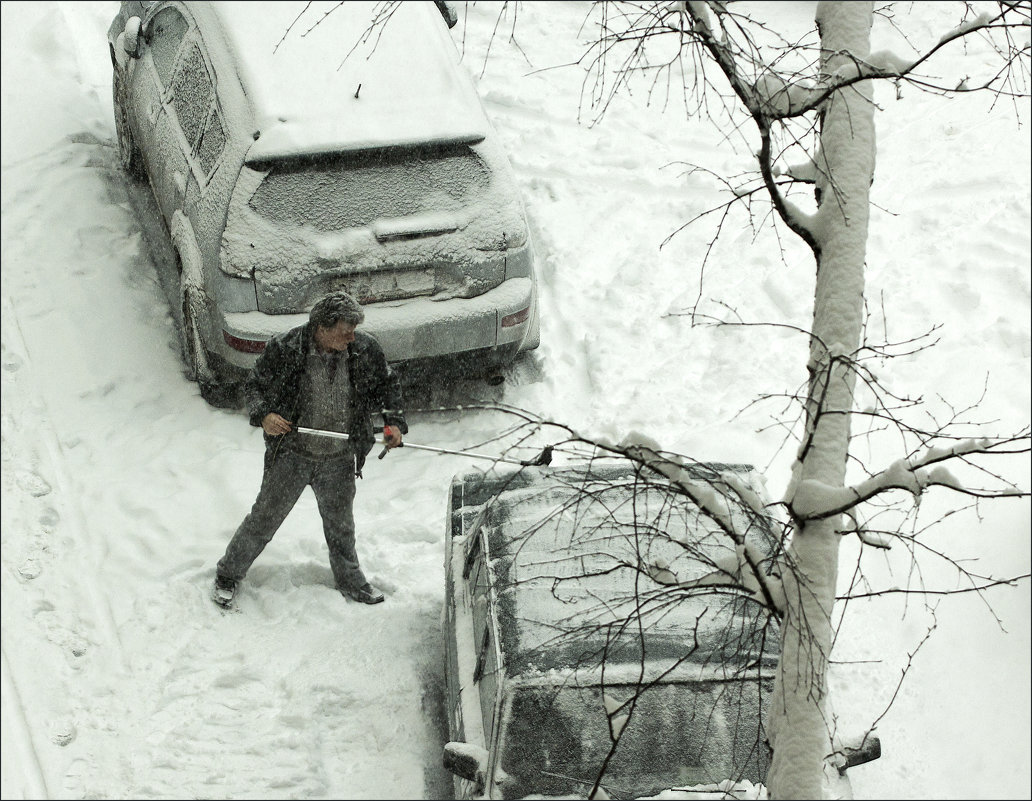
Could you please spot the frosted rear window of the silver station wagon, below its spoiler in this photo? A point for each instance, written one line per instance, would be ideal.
(354, 190)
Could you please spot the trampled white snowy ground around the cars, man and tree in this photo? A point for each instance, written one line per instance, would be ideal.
(121, 487)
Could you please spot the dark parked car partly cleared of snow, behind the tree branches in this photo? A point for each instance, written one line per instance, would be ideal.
(565, 632)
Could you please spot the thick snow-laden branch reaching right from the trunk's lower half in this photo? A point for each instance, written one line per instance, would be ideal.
(813, 500)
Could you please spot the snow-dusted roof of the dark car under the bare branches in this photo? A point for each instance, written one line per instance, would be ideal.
(563, 557)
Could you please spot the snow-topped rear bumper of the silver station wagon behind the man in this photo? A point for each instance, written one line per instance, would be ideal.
(422, 329)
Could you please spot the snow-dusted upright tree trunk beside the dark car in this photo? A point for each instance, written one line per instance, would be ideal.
(799, 728)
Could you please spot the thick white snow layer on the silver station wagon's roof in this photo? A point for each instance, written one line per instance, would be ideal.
(401, 85)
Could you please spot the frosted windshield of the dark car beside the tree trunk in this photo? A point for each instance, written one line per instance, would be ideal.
(679, 735)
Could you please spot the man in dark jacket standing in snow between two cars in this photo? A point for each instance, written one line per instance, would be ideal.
(324, 375)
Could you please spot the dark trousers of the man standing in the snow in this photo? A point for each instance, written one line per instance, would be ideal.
(287, 473)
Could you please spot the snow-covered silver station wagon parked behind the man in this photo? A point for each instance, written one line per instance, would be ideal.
(299, 148)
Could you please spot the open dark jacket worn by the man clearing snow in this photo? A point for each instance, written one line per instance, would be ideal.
(275, 386)
